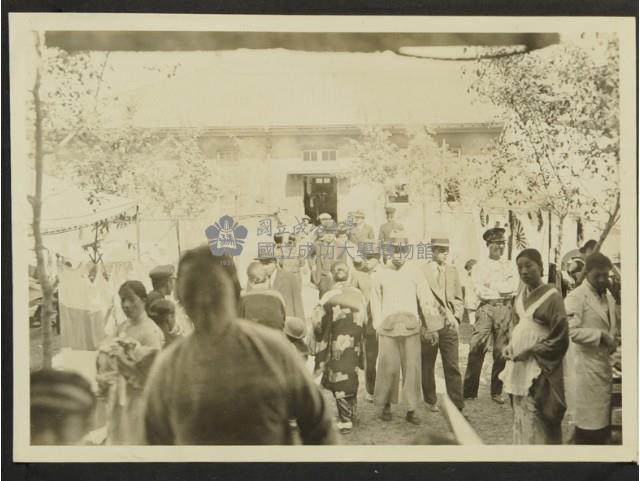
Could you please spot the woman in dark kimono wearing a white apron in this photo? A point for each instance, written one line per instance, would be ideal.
(533, 374)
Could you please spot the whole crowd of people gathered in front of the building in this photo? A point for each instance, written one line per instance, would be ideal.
(250, 370)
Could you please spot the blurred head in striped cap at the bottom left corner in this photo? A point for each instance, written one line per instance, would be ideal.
(62, 404)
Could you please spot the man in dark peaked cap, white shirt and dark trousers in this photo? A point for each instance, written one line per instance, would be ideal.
(495, 281)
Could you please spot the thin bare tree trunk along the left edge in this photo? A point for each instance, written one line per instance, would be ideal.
(47, 311)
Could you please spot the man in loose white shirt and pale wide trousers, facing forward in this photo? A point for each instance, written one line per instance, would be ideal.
(396, 291)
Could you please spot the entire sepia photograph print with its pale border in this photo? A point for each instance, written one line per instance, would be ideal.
(389, 237)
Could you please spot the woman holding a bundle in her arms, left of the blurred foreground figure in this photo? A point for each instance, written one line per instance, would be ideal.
(123, 364)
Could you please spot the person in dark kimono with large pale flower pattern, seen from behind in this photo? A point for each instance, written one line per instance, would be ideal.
(339, 330)
